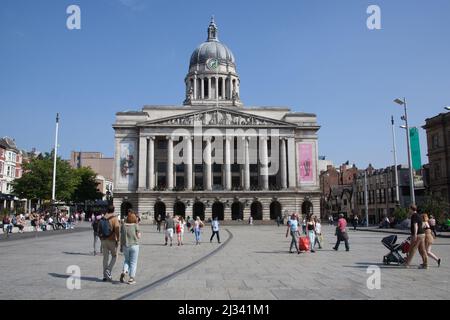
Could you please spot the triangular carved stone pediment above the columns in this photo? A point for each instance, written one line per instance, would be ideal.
(218, 117)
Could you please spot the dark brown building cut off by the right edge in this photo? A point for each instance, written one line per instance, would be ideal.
(438, 140)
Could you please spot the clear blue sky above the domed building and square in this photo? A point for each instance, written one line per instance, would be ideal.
(313, 56)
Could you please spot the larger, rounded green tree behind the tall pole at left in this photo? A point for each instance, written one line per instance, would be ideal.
(37, 180)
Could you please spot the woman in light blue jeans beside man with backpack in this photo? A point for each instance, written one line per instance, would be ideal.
(129, 241)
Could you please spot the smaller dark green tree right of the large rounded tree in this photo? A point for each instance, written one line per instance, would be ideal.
(87, 187)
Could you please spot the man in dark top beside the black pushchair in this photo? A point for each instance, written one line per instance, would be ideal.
(417, 239)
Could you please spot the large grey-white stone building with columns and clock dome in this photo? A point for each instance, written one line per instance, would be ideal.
(213, 156)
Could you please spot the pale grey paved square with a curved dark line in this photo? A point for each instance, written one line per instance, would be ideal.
(253, 263)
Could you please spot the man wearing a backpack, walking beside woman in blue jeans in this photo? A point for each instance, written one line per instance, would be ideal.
(109, 233)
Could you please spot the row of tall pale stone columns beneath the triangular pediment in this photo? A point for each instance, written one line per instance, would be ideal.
(147, 180)
